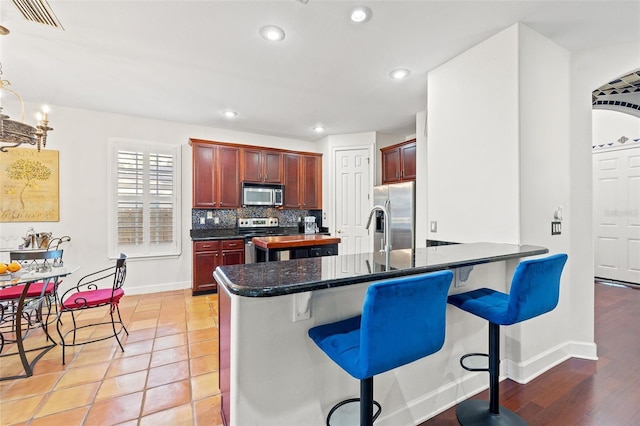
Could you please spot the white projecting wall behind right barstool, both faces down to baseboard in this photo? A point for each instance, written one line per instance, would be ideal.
(505, 150)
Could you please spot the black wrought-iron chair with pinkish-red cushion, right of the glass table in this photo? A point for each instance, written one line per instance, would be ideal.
(88, 294)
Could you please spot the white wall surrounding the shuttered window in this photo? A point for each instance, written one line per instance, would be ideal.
(81, 137)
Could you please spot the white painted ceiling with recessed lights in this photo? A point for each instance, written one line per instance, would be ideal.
(188, 60)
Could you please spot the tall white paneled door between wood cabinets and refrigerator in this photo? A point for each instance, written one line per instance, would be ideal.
(352, 187)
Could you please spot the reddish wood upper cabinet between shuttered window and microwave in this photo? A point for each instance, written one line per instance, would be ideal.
(216, 176)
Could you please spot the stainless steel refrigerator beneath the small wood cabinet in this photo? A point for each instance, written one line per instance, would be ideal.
(400, 200)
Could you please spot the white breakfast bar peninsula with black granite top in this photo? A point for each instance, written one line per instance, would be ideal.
(272, 374)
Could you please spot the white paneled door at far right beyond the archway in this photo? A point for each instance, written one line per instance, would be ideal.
(616, 215)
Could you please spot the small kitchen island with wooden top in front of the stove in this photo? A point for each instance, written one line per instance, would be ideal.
(299, 246)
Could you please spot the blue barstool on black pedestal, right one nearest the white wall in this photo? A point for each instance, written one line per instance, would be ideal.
(535, 289)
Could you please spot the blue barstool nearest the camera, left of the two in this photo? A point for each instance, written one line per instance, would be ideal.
(402, 320)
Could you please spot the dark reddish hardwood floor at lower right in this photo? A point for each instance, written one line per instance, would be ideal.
(580, 392)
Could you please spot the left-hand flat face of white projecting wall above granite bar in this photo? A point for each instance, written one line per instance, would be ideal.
(472, 143)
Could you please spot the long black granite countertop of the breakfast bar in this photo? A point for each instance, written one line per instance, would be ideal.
(300, 275)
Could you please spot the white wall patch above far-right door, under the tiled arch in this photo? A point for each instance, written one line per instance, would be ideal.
(609, 126)
